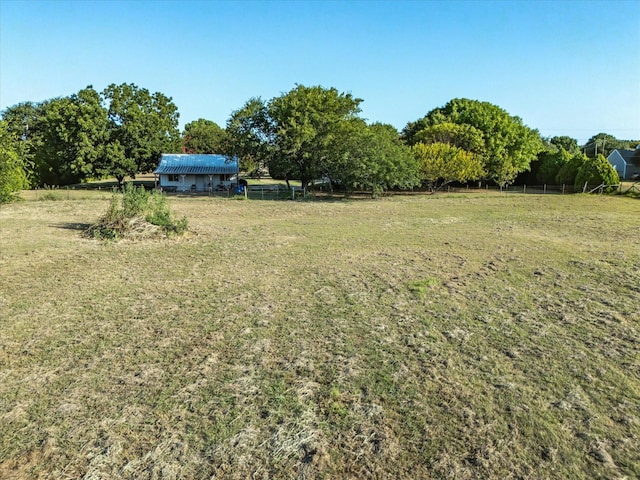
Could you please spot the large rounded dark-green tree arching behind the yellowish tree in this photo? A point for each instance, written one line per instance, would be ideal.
(508, 146)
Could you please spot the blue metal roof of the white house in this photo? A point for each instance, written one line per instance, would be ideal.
(188, 164)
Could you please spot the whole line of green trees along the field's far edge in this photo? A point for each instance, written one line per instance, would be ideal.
(305, 134)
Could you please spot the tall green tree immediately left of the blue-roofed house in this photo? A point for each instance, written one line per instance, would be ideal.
(144, 124)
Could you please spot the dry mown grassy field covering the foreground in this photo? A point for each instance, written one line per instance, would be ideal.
(447, 336)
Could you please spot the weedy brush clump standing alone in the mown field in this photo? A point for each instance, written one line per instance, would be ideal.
(137, 213)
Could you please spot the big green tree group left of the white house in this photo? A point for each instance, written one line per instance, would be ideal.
(70, 139)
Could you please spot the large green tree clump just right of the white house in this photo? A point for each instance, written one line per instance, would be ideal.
(314, 132)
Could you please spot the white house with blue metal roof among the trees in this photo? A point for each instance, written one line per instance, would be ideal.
(196, 172)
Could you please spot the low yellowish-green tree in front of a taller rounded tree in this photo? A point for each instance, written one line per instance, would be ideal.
(442, 163)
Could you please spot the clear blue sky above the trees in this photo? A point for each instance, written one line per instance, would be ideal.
(564, 67)
